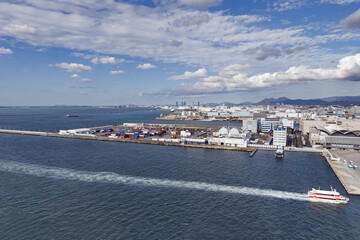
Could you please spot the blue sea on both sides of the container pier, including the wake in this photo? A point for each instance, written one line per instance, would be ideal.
(54, 188)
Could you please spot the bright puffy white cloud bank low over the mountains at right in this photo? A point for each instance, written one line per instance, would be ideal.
(233, 78)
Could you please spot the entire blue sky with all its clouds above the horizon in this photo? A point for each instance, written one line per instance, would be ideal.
(144, 52)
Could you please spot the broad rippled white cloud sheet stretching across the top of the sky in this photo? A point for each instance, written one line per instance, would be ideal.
(196, 37)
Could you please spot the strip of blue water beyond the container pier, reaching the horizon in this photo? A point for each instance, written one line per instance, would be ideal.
(53, 119)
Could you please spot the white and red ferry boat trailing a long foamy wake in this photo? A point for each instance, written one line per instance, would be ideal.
(332, 196)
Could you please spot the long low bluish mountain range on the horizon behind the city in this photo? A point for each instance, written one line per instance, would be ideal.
(342, 100)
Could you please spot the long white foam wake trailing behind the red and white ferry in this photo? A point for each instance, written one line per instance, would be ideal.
(109, 177)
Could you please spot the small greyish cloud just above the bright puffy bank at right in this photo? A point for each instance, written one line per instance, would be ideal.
(263, 52)
